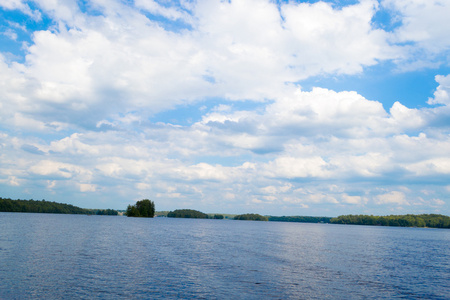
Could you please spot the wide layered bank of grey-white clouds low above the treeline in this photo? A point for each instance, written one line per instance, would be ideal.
(95, 159)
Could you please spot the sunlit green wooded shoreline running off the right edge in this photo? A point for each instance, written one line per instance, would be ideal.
(424, 220)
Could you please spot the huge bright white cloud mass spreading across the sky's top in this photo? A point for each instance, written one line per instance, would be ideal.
(86, 63)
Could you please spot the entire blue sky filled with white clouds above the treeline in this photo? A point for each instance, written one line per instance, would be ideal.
(313, 108)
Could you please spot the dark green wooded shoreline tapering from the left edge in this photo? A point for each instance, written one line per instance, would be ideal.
(42, 206)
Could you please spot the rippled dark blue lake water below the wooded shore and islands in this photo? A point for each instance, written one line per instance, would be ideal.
(102, 257)
